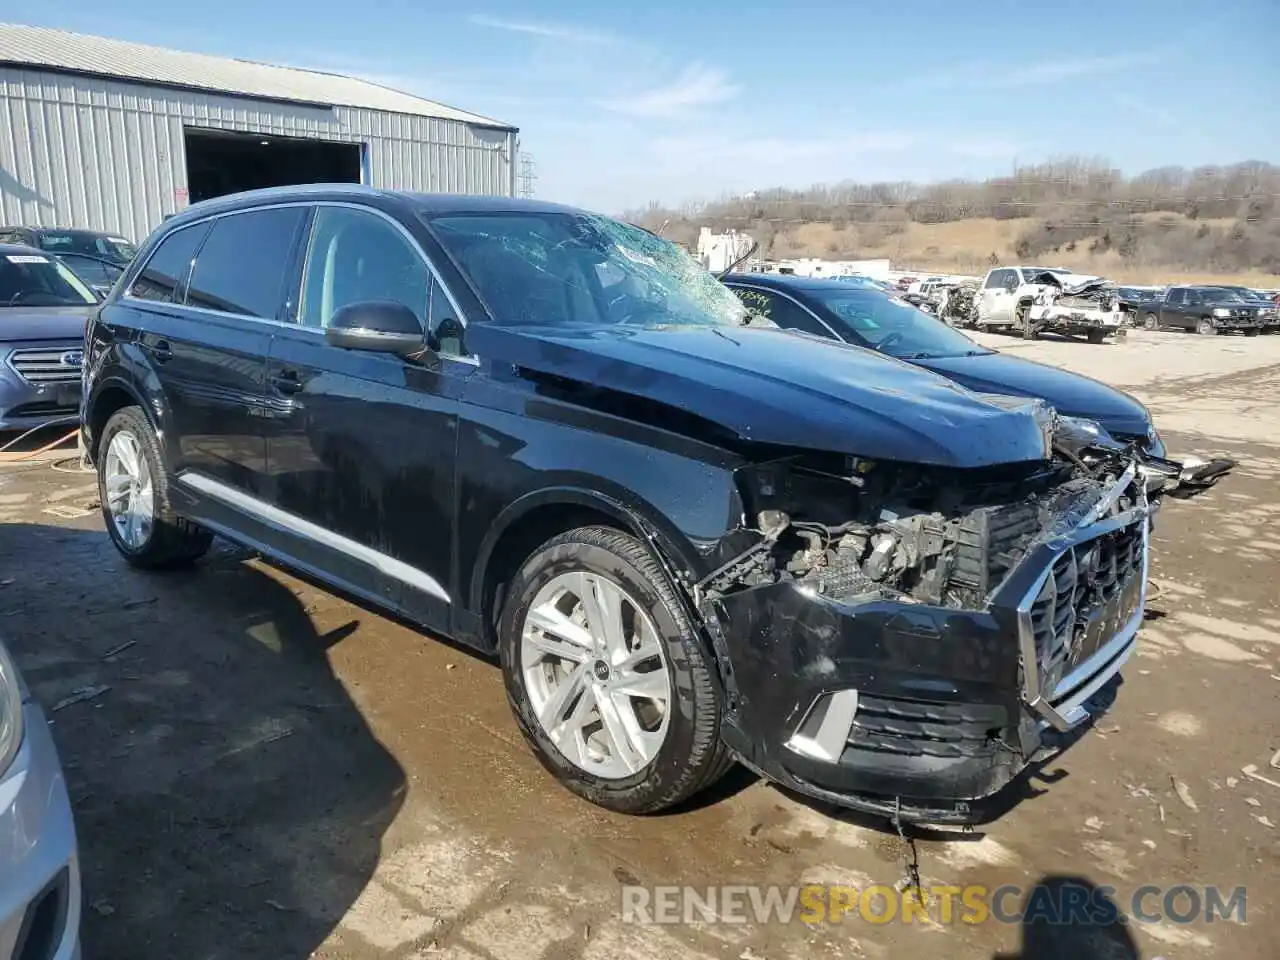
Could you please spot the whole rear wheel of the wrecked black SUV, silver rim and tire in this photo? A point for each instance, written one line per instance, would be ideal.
(135, 495)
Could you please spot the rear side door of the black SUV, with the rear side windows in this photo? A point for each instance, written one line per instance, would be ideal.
(209, 350)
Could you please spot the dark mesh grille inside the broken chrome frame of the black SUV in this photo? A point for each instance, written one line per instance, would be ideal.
(1078, 609)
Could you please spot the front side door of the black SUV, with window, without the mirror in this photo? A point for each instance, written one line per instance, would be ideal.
(362, 446)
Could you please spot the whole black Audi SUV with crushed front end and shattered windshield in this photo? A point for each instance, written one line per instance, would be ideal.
(691, 537)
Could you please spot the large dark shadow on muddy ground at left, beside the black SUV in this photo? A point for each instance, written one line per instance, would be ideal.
(231, 799)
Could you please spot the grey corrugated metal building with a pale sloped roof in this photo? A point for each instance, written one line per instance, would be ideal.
(113, 136)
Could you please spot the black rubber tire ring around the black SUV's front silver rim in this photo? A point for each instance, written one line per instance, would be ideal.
(675, 636)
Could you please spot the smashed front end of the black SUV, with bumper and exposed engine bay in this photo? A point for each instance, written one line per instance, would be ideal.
(903, 639)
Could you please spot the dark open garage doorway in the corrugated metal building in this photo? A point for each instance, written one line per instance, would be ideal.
(223, 162)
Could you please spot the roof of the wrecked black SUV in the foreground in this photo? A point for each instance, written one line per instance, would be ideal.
(431, 204)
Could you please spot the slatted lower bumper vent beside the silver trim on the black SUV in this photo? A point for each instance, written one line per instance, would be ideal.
(926, 729)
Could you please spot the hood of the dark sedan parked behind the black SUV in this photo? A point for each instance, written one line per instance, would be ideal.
(1072, 395)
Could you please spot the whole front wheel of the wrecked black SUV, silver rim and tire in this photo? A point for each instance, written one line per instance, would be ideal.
(606, 675)
